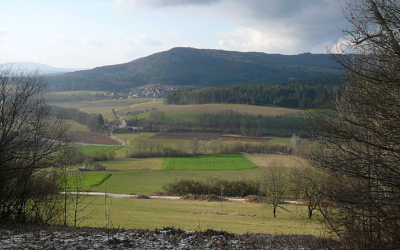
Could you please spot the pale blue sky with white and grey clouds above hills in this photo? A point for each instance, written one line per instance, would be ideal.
(92, 33)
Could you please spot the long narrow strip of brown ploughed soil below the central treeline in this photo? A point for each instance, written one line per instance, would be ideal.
(205, 137)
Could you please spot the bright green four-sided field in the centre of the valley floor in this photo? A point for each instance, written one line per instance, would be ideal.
(208, 162)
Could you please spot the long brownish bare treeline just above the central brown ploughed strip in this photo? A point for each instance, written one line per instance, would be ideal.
(228, 122)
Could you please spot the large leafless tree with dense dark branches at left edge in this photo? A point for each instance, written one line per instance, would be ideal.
(30, 138)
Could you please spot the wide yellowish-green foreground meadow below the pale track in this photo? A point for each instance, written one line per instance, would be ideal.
(188, 215)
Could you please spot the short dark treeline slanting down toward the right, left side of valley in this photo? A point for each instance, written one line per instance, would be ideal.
(95, 122)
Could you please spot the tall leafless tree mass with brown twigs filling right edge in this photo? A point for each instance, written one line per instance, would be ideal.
(360, 132)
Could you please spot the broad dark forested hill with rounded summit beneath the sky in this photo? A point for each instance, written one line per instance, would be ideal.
(200, 68)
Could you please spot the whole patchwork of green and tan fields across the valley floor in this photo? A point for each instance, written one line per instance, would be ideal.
(149, 175)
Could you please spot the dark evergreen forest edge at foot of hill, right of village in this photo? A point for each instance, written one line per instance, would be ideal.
(293, 94)
